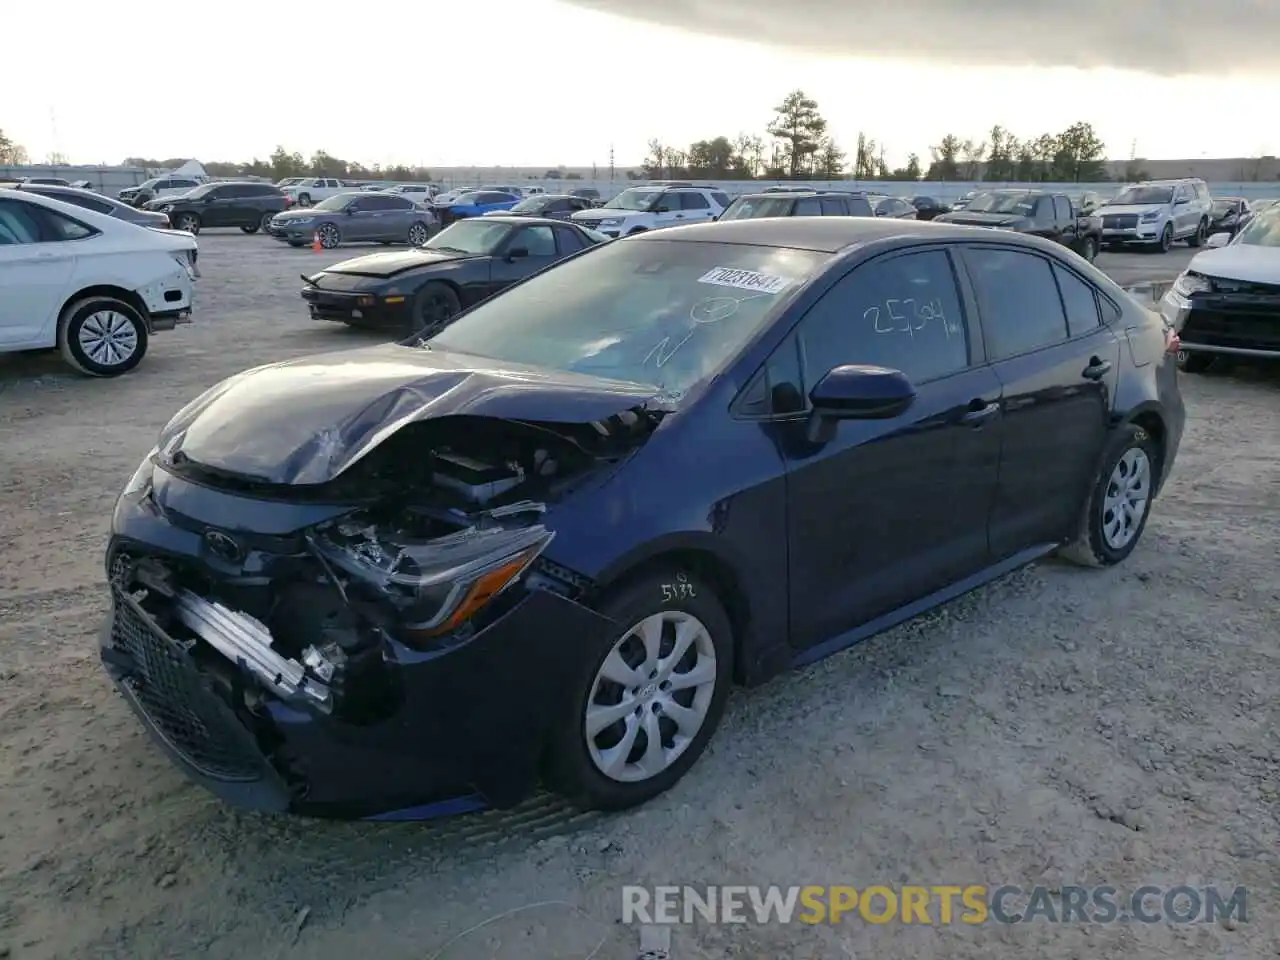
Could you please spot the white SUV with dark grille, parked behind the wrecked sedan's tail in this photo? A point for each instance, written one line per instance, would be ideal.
(1158, 213)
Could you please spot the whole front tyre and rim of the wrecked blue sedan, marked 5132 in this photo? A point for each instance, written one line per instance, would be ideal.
(644, 708)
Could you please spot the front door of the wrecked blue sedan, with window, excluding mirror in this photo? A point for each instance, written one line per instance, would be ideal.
(890, 511)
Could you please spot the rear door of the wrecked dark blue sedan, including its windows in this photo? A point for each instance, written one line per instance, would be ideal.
(1059, 368)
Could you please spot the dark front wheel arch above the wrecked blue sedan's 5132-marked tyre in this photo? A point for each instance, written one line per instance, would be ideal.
(703, 556)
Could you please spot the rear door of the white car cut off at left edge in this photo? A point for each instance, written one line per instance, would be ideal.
(38, 262)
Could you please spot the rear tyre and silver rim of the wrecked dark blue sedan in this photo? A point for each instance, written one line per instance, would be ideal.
(1119, 504)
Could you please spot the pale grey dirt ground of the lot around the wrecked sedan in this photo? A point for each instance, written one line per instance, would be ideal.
(1060, 726)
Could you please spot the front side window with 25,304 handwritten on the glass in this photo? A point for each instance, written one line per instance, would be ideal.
(902, 313)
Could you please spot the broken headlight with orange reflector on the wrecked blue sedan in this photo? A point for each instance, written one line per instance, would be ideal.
(436, 584)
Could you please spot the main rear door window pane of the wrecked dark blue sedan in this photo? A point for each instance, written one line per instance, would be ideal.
(1018, 299)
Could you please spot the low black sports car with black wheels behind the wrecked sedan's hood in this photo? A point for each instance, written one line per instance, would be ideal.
(426, 287)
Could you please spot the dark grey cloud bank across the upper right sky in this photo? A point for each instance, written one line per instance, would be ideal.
(1153, 36)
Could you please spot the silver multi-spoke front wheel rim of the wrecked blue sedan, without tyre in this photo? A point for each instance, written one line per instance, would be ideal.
(651, 697)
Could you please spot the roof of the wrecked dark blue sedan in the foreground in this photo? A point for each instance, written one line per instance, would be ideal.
(824, 235)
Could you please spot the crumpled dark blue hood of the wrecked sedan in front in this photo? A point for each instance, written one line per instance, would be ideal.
(308, 420)
